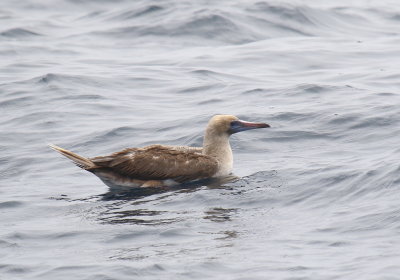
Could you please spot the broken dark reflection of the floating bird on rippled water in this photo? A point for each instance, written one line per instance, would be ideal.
(141, 206)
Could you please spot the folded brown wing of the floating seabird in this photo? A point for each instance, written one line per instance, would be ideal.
(159, 162)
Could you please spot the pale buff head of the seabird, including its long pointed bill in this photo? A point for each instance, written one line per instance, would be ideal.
(228, 125)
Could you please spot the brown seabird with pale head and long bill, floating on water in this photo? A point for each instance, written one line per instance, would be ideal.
(161, 165)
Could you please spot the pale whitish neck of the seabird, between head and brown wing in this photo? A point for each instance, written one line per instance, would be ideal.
(218, 147)
